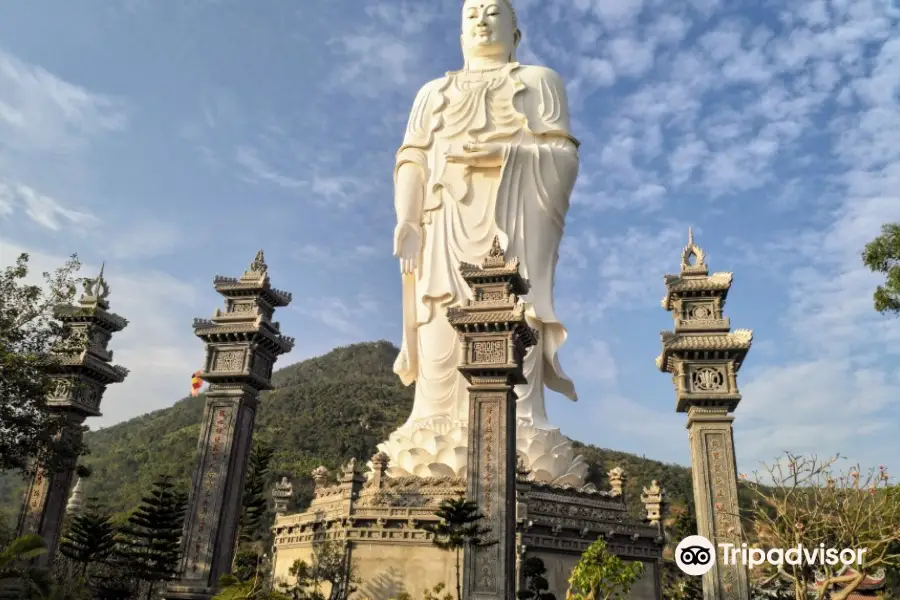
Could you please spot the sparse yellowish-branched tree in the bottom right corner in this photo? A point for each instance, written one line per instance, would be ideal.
(809, 504)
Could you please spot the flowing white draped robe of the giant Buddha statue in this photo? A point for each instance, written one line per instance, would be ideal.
(524, 203)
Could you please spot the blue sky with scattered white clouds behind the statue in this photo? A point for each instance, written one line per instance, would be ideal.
(173, 139)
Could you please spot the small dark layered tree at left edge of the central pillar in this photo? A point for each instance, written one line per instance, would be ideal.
(459, 527)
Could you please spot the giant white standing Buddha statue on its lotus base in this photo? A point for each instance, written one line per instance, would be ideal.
(487, 152)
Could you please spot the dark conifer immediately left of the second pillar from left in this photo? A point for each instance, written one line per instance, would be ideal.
(149, 544)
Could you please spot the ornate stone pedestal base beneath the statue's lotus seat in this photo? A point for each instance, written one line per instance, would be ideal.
(381, 519)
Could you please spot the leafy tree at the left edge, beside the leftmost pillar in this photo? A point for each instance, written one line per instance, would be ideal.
(28, 333)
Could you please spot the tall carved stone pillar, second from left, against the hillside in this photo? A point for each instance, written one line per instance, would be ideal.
(242, 344)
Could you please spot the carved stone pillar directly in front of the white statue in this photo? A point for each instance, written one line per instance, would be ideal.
(495, 337)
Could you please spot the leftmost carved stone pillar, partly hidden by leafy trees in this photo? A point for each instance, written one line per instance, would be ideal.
(82, 370)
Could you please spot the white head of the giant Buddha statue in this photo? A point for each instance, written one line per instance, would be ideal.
(489, 30)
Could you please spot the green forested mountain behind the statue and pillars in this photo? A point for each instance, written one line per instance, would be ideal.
(323, 410)
